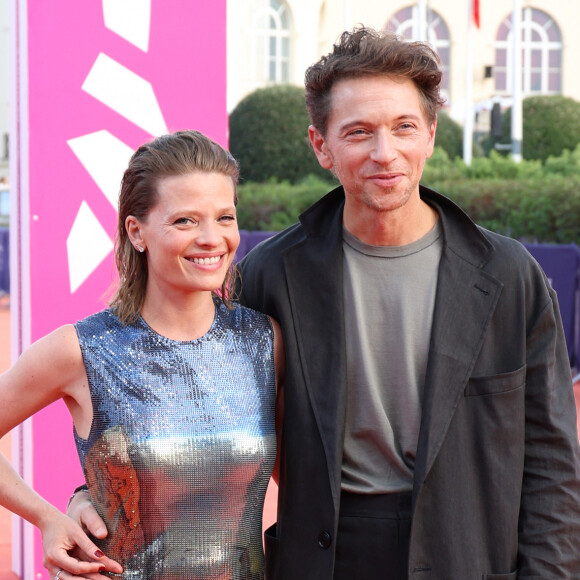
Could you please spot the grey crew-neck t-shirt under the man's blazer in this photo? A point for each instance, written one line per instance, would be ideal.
(389, 293)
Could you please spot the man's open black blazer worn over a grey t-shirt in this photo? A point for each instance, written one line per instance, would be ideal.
(496, 491)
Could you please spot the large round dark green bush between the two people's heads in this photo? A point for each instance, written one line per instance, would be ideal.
(269, 136)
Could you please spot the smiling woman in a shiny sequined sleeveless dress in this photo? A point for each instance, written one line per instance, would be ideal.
(171, 389)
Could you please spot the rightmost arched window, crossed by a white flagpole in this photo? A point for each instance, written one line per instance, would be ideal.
(541, 54)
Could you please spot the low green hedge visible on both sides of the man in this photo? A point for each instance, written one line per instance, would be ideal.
(528, 201)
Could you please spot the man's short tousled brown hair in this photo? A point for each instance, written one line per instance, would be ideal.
(365, 52)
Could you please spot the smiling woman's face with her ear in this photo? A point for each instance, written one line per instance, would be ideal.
(191, 233)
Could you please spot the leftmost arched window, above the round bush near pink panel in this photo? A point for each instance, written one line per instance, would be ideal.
(272, 26)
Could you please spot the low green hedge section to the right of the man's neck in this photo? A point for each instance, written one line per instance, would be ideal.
(522, 200)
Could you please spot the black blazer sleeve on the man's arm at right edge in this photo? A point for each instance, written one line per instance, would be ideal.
(549, 522)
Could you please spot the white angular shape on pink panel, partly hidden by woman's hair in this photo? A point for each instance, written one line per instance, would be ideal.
(105, 158)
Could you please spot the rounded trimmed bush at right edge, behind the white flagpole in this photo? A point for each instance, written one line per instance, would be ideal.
(551, 123)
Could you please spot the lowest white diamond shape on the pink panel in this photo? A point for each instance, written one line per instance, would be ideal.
(87, 245)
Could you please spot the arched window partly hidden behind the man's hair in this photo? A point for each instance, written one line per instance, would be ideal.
(405, 24)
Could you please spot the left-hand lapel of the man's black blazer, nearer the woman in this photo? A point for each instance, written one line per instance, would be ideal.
(314, 274)
